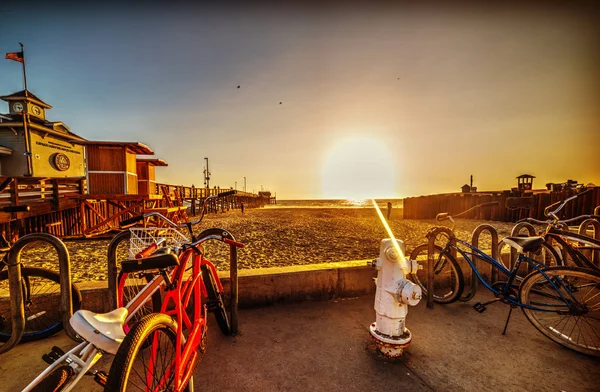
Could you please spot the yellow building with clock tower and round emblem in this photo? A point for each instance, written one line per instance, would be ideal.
(32, 146)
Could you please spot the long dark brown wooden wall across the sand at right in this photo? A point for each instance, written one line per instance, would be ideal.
(427, 207)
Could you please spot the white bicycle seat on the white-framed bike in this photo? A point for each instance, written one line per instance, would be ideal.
(103, 330)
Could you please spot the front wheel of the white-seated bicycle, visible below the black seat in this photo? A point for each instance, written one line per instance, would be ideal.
(129, 285)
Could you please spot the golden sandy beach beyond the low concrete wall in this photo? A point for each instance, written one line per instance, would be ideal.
(277, 237)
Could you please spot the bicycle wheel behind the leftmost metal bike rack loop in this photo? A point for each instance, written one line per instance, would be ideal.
(41, 298)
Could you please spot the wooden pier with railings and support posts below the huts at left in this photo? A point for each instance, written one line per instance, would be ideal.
(61, 206)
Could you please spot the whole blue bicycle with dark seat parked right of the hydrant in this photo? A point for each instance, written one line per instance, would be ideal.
(561, 302)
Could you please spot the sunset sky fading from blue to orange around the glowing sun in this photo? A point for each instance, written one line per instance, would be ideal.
(426, 96)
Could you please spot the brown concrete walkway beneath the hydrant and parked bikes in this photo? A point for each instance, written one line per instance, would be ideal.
(325, 346)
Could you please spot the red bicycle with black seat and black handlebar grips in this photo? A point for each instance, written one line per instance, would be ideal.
(161, 349)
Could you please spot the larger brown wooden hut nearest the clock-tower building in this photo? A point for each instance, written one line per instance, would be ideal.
(112, 166)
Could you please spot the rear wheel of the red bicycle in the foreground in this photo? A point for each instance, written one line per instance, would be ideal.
(146, 358)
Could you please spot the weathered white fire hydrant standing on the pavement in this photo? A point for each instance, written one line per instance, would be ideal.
(394, 294)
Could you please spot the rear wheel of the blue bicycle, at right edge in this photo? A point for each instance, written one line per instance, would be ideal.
(570, 314)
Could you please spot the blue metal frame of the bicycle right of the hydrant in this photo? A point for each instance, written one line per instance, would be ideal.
(475, 252)
